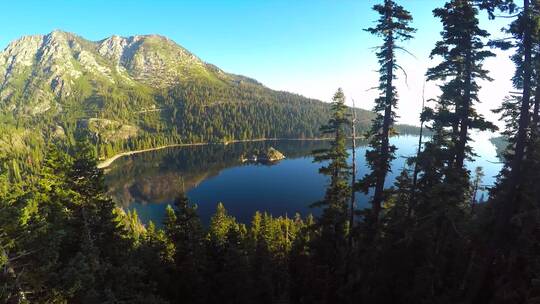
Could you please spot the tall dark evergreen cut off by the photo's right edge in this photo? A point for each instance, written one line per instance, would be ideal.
(513, 221)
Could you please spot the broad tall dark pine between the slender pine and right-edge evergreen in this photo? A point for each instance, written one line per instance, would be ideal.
(438, 223)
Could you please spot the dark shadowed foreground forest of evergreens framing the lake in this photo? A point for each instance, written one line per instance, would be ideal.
(426, 239)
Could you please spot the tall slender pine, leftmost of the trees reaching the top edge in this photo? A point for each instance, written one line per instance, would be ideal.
(393, 26)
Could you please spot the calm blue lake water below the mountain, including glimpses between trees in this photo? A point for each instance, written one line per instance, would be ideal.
(209, 174)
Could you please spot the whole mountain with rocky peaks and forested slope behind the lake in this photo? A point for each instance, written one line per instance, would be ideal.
(138, 92)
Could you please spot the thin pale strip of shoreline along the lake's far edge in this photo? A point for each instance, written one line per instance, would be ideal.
(109, 161)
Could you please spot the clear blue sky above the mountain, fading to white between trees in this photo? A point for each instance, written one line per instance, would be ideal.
(309, 47)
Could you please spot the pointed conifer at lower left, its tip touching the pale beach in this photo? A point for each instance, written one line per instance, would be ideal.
(101, 269)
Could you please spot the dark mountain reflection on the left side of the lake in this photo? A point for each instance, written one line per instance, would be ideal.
(157, 177)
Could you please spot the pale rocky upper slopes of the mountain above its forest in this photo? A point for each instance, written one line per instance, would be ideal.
(36, 72)
